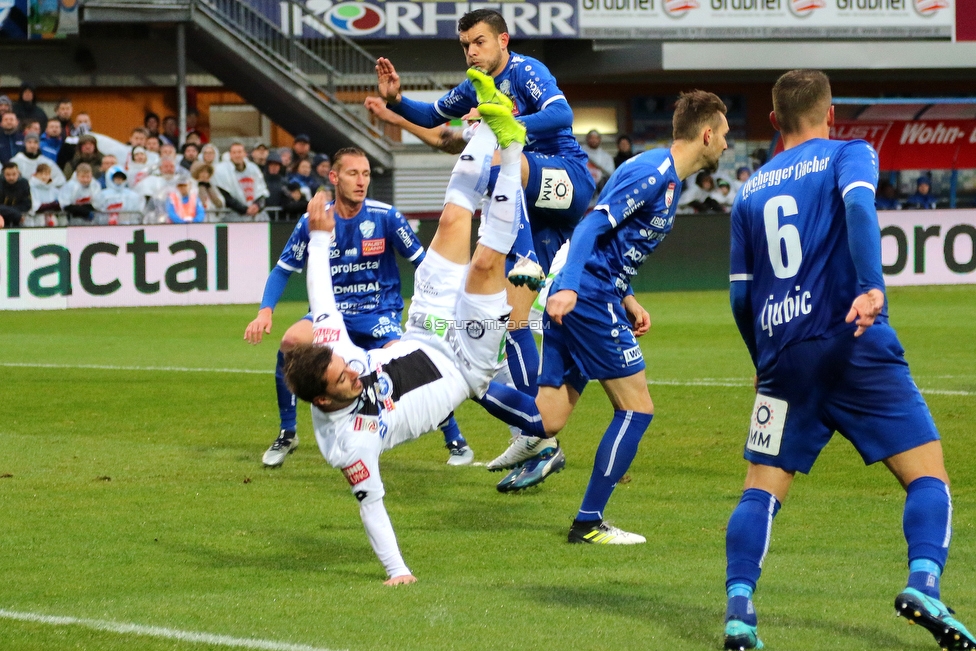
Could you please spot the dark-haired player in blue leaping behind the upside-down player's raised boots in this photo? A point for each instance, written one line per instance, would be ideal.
(553, 167)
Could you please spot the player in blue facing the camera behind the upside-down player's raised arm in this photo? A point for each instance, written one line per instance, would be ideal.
(365, 274)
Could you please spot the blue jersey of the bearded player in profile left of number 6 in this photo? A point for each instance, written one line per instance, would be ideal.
(638, 203)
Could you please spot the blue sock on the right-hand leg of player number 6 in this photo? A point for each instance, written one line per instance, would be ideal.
(927, 523)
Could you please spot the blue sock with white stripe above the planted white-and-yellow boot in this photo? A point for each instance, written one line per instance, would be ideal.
(613, 457)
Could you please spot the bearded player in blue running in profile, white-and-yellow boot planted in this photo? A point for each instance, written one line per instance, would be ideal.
(593, 319)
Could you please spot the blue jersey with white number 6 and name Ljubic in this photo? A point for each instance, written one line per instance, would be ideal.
(789, 237)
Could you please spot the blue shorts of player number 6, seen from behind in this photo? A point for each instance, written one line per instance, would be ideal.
(860, 387)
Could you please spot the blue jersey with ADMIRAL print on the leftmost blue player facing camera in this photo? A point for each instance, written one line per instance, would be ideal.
(365, 276)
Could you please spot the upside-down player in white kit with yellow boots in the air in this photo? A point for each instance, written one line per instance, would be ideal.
(365, 402)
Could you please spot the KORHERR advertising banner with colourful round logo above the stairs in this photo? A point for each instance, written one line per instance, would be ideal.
(383, 19)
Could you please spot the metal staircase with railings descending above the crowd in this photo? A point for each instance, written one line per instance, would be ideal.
(256, 48)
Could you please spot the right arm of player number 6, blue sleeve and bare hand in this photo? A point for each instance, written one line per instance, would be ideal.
(857, 175)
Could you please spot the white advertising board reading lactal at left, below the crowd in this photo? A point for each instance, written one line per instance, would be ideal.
(129, 266)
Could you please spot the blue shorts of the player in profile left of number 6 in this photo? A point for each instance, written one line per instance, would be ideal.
(594, 342)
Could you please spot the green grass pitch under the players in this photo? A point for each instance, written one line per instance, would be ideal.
(137, 496)
